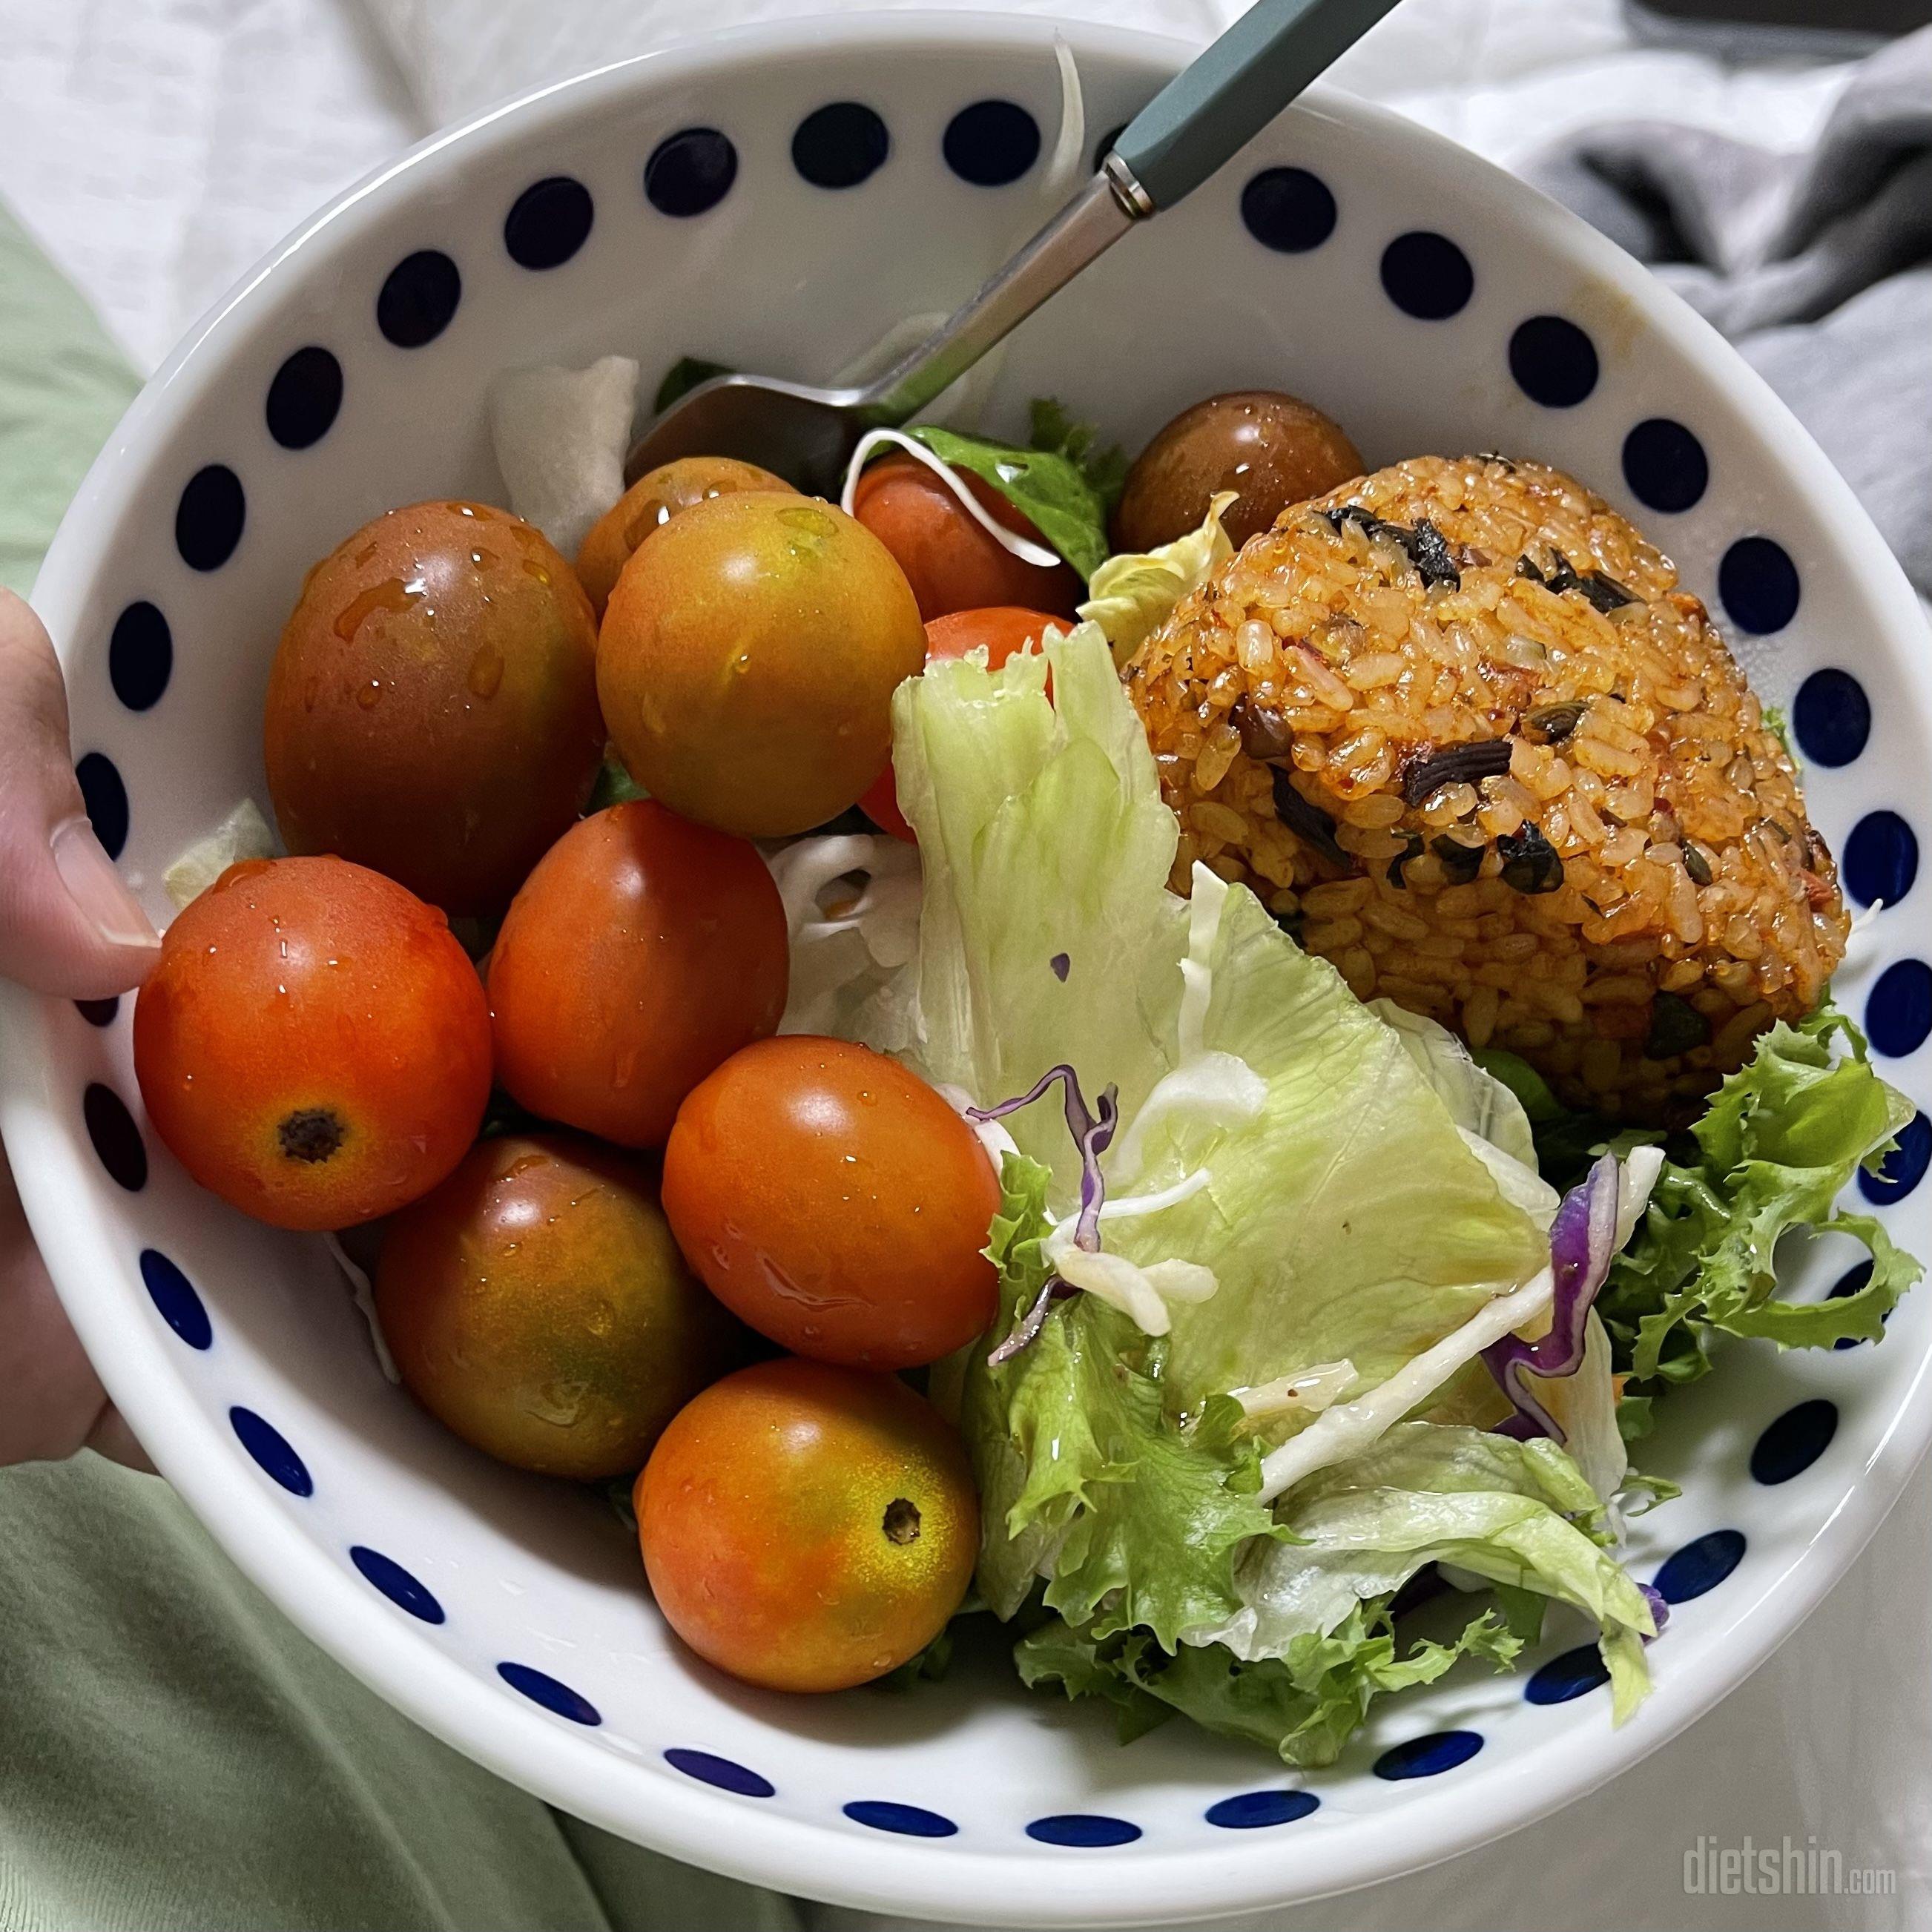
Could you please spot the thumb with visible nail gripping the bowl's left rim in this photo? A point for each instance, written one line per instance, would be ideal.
(69, 923)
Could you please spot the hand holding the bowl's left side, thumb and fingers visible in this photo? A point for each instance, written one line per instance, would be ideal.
(69, 926)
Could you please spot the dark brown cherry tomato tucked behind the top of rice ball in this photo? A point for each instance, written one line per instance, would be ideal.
(1266, 447)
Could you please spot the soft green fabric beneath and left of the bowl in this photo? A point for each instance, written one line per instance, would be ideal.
(173, 1753)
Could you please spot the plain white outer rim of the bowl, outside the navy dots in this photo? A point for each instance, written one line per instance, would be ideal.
(532, 1749)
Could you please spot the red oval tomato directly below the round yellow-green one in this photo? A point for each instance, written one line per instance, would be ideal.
(640, 953)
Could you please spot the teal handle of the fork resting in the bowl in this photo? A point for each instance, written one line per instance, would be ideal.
(1226, 98)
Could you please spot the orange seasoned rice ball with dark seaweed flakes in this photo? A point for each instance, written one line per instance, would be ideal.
(1460, 727)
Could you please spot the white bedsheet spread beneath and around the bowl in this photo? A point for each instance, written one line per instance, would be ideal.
(159, 146)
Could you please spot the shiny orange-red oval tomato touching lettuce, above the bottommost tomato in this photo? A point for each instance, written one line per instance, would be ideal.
(836, 1203)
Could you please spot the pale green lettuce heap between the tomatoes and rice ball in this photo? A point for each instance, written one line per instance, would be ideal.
(1353, 1201)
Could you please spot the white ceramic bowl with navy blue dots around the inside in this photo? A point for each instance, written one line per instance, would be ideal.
(509, 1616)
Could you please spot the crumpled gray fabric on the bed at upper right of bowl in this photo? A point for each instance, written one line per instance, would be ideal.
(1817, 266)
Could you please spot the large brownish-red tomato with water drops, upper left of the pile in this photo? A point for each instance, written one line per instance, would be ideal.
(434, 704)
